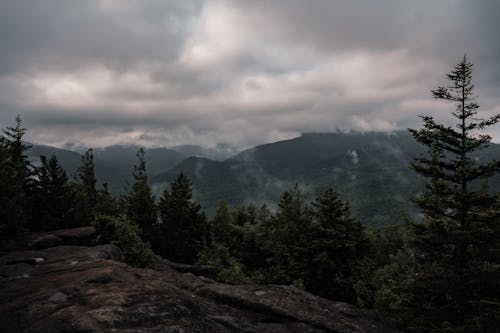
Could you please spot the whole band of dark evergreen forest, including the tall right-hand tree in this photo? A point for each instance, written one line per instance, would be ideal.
(436, 272)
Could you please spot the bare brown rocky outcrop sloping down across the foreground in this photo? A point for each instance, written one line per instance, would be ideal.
(90, 289)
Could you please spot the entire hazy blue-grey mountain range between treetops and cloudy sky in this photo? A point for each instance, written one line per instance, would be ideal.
(370, 170)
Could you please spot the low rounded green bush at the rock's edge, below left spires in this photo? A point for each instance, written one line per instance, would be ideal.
(120, 231)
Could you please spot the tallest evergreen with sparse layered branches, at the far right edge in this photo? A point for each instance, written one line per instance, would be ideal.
(452, 257)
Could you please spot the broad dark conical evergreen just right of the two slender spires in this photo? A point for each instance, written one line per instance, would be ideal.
(182, 230)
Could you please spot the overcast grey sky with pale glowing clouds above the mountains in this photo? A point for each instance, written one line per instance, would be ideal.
(167, 72)
